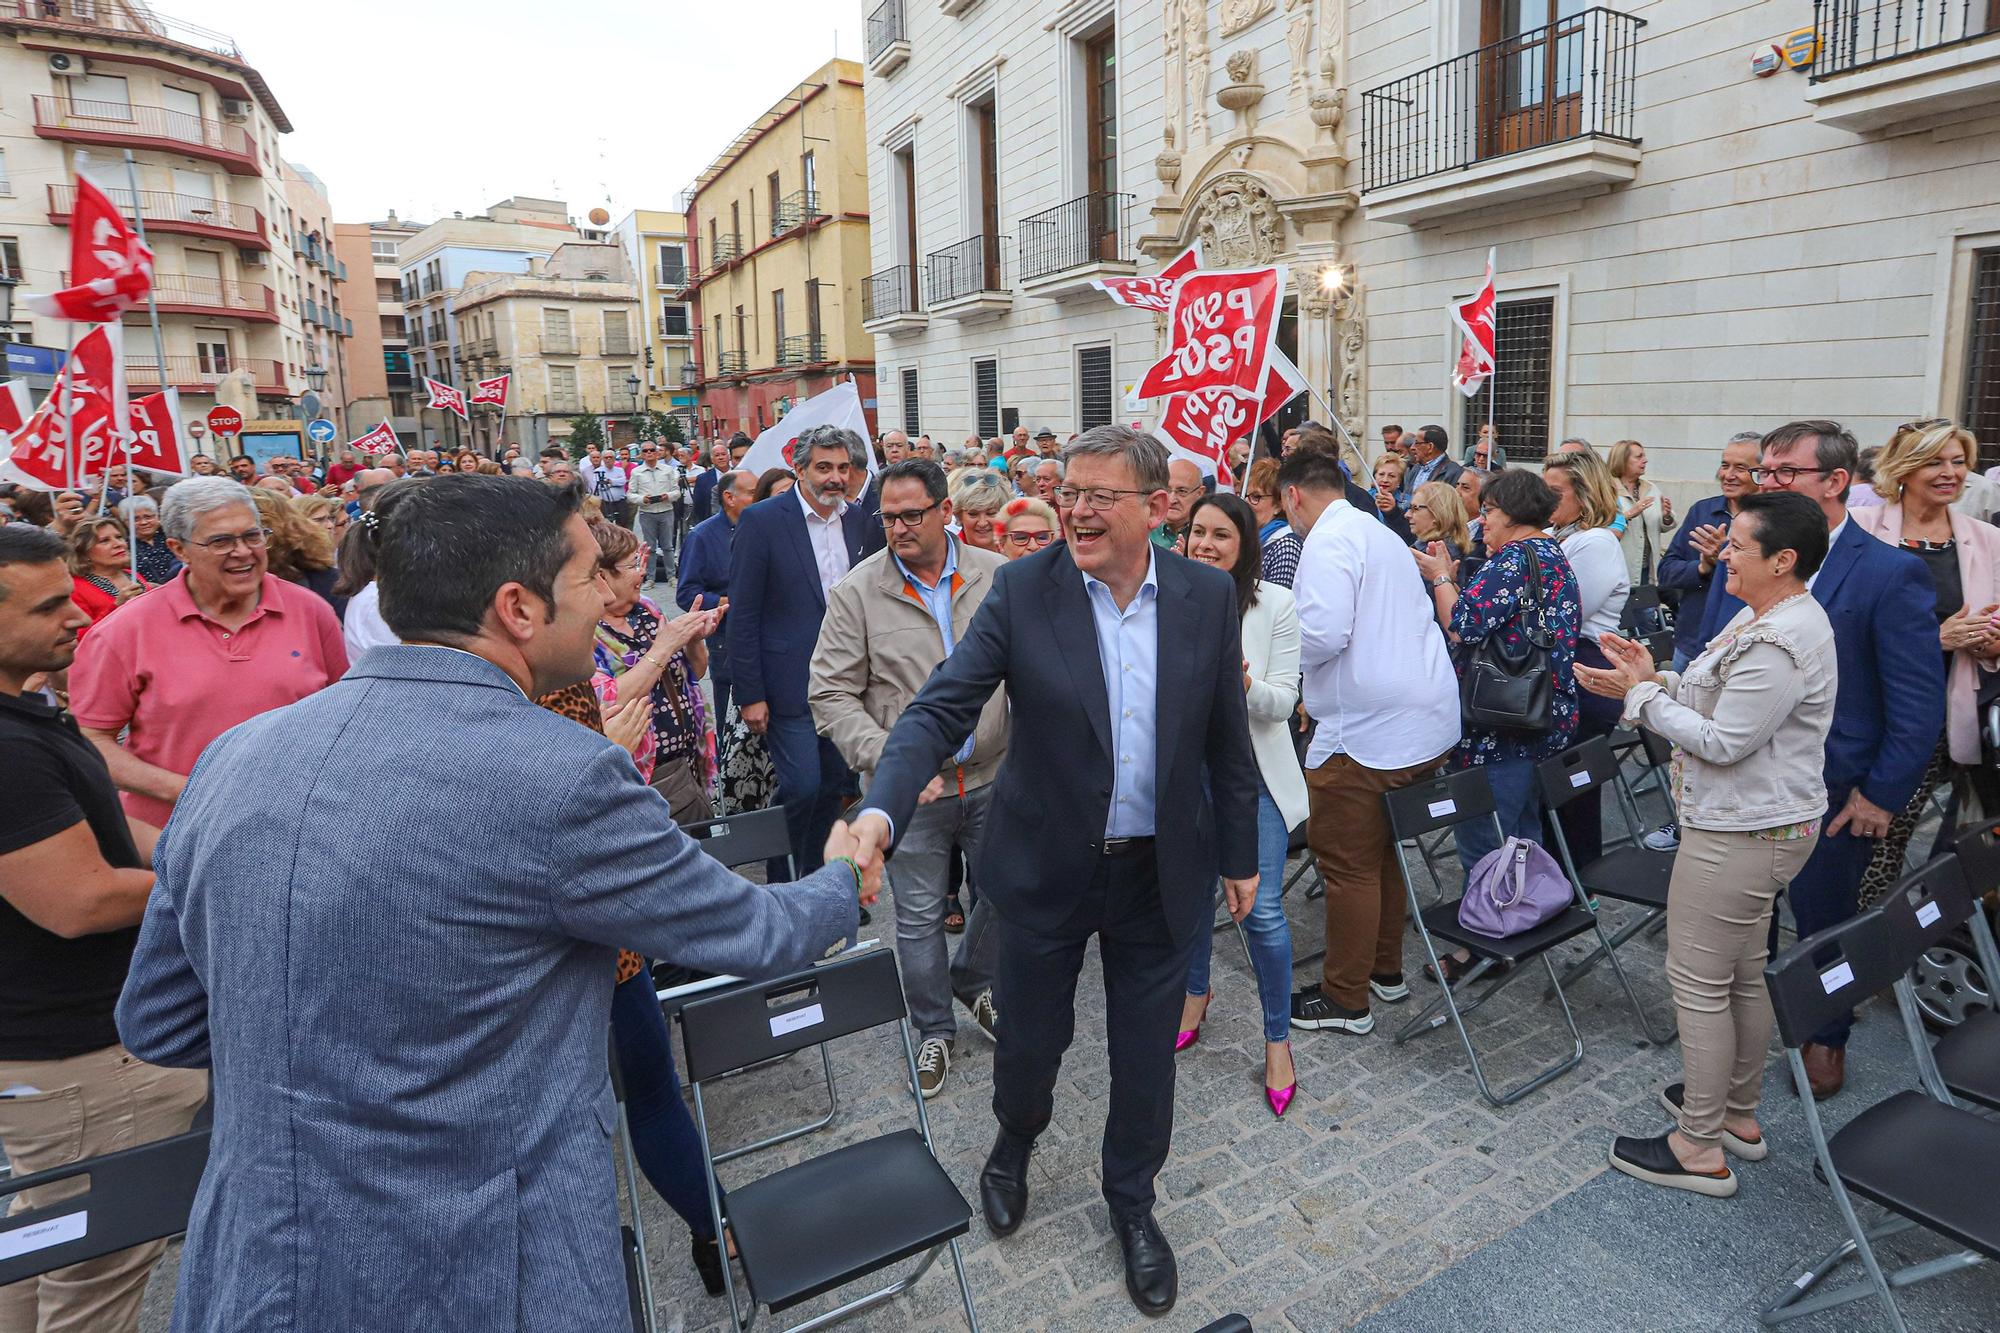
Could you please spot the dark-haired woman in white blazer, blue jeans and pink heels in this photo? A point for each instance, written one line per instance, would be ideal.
(1223, 533)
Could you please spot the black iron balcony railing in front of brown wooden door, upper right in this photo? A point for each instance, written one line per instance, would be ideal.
(1573, 79)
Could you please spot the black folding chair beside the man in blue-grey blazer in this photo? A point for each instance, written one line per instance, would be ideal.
(831, 1220)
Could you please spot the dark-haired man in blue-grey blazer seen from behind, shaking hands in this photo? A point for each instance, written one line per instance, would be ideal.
(407, 1026)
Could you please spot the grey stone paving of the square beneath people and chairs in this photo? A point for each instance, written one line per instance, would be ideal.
(1391, 1198)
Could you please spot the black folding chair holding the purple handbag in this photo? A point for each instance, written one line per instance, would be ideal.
(1445, 804)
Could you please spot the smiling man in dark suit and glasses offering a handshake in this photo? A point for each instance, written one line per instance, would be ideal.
(1127, 665)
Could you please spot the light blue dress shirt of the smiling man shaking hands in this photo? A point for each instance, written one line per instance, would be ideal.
(1129, 649)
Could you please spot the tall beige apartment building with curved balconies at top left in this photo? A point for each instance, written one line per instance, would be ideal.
(89, 83)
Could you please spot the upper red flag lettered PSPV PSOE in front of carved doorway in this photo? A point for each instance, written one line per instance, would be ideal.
(1221, 333)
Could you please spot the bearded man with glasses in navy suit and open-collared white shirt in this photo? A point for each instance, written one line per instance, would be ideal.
(789, 551)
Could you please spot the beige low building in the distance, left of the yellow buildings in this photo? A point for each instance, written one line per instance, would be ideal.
(569, 331)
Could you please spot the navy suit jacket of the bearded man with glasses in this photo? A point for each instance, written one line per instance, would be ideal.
(777, 601)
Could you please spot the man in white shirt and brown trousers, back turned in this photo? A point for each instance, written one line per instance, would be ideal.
(1381, 688)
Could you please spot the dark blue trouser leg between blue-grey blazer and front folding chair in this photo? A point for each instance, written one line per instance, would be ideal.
(663, 1134)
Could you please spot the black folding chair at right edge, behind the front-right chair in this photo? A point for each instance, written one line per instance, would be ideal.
(1925, 910)
